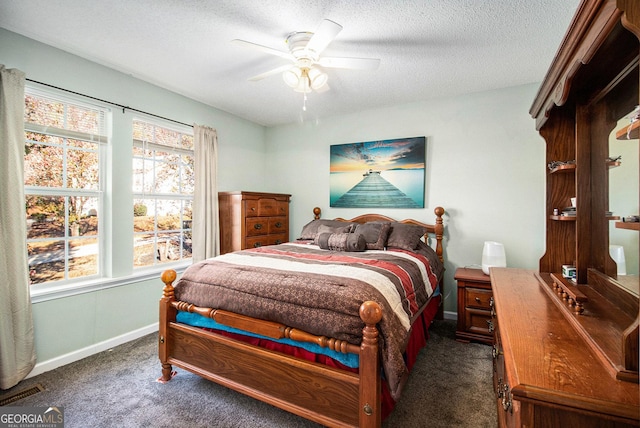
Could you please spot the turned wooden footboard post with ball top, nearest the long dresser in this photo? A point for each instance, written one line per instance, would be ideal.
(370, 408)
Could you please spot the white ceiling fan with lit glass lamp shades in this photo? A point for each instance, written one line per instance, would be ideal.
(305, 49)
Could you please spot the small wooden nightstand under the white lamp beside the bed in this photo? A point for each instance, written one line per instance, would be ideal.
(475, 301)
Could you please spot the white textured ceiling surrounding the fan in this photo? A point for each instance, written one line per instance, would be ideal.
(427, 48)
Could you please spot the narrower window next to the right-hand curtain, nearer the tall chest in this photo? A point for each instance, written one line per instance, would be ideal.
(163, 180)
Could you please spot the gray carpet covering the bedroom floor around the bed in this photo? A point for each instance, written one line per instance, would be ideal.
(450, 386)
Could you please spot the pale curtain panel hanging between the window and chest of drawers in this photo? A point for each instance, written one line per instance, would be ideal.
(206, 238)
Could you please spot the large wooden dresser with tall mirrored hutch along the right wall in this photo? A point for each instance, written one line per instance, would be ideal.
(566, 352)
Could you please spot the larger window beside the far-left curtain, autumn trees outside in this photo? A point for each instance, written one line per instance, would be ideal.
(63, 180)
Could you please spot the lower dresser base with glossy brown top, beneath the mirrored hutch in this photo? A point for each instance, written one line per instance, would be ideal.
(546, 372)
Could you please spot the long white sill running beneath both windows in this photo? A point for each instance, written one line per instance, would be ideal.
(71, 289)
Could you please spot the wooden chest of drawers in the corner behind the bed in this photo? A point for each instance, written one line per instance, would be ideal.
(252, 219)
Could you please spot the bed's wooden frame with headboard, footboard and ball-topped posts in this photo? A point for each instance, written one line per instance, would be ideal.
(326, 395)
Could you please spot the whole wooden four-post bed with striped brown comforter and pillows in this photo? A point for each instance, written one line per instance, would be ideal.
(298, 325)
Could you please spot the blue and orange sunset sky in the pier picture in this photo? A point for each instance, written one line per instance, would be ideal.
(405, 153)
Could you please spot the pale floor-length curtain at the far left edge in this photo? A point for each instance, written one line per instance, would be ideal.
(17, 351)
